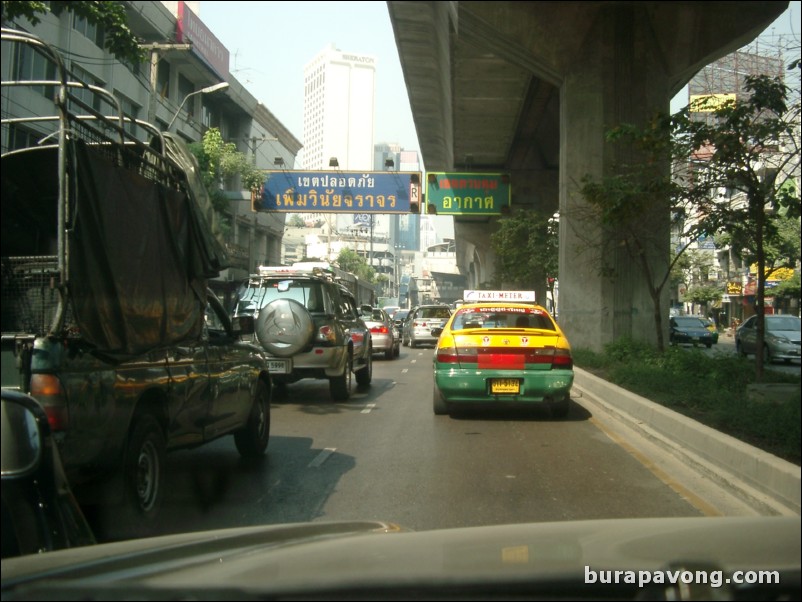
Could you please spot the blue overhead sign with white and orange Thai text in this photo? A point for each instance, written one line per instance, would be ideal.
(342, 192)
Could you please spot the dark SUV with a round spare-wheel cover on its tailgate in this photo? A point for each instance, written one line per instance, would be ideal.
(309, 325)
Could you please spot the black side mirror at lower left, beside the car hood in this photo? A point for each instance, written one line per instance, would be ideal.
(40, 512)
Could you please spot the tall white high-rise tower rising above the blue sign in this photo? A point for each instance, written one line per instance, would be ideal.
(339, 98)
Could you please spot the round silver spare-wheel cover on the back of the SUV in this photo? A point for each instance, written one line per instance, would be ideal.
(284, 327)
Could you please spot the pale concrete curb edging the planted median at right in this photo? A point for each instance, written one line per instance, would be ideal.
(770, 483)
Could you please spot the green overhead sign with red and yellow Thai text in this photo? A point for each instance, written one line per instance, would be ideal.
(467, 193)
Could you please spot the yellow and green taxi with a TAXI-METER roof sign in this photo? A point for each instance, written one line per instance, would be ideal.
(502, 350)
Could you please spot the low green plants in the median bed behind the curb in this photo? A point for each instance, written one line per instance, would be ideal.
(710, 389)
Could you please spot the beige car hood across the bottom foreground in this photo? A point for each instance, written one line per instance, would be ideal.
(326, 557)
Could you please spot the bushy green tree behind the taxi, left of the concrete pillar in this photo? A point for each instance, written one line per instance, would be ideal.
(526, 244)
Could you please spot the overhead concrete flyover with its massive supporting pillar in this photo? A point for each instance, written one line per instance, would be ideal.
(529, 88)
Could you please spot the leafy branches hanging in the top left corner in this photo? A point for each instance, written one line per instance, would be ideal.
(118, 39)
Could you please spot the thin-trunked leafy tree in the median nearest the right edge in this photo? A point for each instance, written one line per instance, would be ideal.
(748, 158)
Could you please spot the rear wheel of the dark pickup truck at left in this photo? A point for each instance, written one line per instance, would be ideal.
(143, 466)
